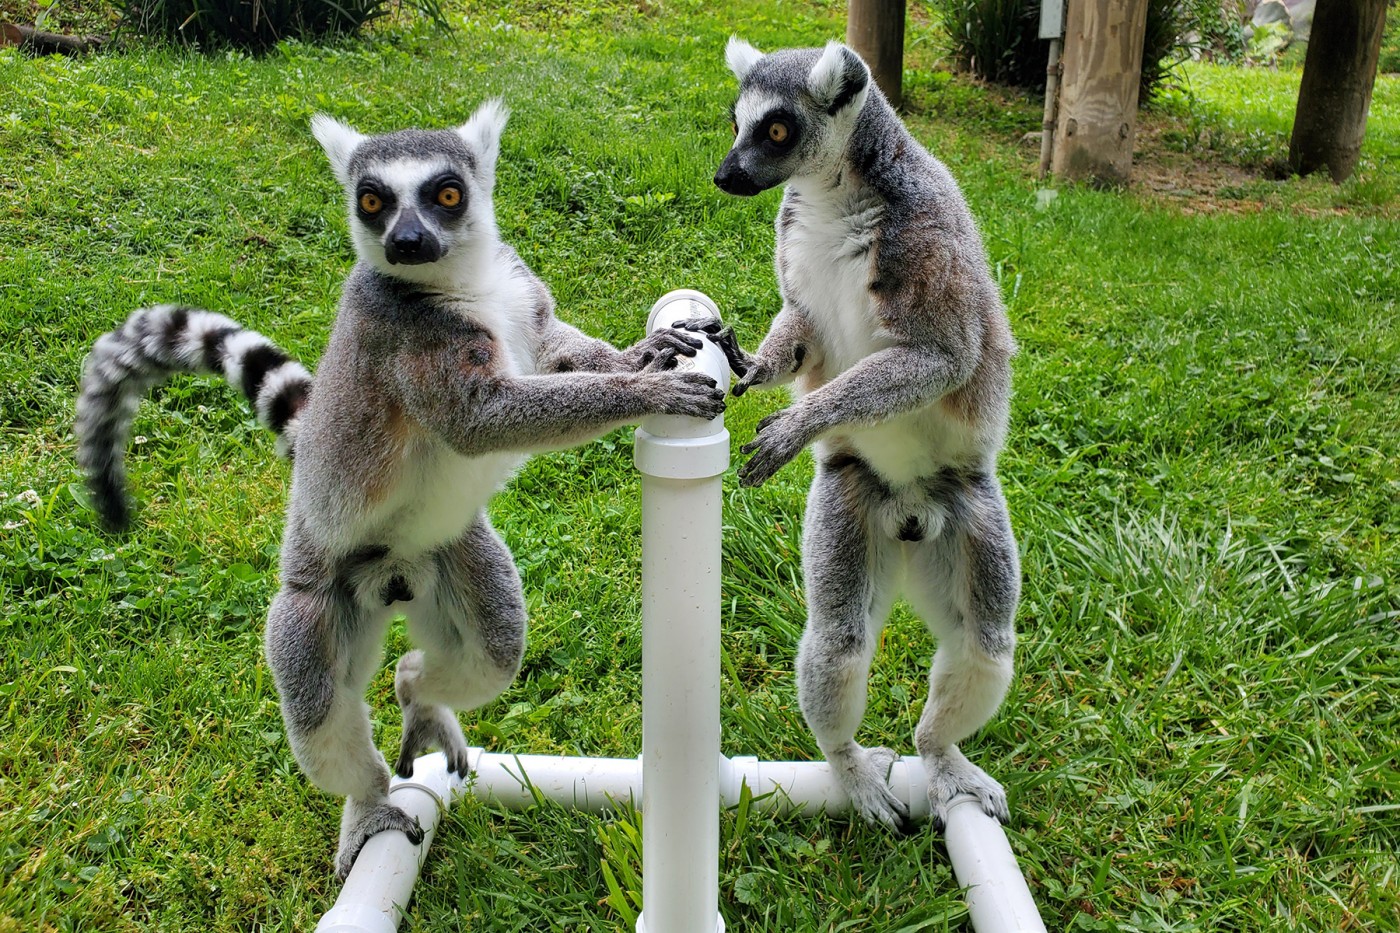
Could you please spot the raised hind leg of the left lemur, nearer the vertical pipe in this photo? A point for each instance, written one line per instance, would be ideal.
(470, 628)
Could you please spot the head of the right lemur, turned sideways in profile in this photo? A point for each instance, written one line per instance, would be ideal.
(794, 116)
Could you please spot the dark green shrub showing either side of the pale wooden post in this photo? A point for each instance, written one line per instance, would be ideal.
(999, 41)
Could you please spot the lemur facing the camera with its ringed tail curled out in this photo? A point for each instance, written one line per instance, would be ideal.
(446, 369)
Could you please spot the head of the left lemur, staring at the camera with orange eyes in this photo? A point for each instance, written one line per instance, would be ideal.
(421, 201)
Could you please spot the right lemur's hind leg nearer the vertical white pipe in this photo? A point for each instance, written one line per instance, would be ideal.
(849, 593)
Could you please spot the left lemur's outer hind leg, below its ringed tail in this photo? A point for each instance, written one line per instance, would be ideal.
(323, 705)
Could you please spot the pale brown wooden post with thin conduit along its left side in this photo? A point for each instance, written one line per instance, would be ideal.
(1098, 93)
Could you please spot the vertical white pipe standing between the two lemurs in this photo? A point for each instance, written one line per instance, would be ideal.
(682, 462)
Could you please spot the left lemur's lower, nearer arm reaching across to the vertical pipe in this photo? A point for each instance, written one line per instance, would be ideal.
(456, 394)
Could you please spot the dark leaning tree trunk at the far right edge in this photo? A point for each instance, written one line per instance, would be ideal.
(1335, 96)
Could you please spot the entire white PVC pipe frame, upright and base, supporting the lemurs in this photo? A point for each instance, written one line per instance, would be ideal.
(681, 780)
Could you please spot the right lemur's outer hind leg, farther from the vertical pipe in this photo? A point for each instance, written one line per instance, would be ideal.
(967, 585)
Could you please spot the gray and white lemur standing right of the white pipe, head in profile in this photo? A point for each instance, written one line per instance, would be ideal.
(898, 345)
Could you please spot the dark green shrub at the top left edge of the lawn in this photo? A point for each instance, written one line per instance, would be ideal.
(258, 25)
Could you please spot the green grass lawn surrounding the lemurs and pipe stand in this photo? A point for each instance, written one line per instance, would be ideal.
(1203, 477)
